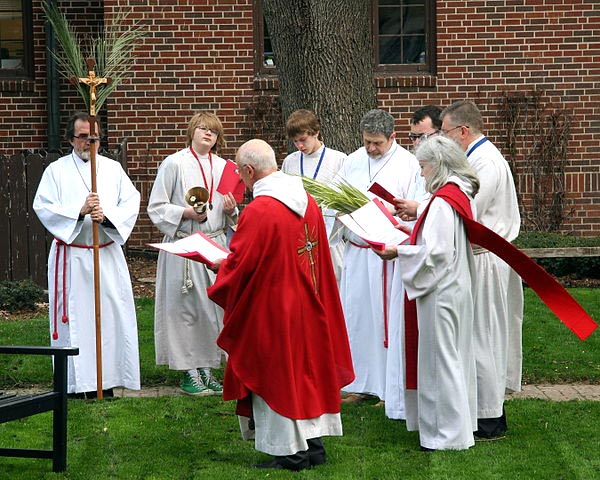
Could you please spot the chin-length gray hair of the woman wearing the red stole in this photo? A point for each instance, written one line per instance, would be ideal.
(446, 158)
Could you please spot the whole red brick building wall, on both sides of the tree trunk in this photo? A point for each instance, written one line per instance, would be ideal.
(199, 55)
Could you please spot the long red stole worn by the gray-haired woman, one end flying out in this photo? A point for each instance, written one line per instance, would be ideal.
(547, 288)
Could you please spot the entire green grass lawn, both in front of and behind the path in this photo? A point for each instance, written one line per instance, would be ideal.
(198, 438)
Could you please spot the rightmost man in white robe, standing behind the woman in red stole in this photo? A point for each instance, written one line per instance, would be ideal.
(499, 291)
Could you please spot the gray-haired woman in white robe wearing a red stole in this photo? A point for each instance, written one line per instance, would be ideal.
(438, 272)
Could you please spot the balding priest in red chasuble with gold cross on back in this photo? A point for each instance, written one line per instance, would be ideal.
(284, 328)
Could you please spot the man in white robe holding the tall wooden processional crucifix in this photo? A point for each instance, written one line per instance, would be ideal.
(87, 202)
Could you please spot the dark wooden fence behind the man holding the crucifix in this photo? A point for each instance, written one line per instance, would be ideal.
(24, 242)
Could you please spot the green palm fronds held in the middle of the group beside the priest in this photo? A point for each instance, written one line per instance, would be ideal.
(340, 196)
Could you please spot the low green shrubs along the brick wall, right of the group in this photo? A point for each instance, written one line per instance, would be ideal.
(588, 267)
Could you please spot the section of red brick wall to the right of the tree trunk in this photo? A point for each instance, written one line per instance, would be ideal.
(490, 49)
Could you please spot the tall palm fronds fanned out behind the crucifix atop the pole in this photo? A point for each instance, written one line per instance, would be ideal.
(112, 51)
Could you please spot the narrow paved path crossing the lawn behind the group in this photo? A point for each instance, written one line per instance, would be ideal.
(557, 393)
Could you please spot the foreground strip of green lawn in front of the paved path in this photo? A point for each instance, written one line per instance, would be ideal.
(198, 438)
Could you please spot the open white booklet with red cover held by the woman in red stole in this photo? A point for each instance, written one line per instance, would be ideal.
(374, 224)
